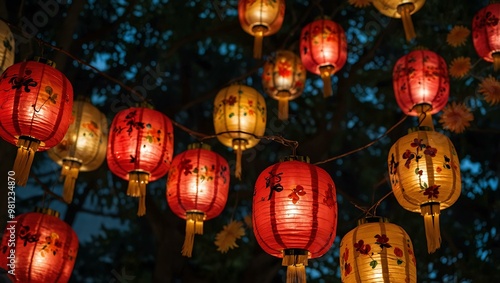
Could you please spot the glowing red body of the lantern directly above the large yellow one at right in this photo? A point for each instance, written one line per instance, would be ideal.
(421, 77)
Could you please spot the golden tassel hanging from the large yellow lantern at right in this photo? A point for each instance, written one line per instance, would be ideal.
(430, 212)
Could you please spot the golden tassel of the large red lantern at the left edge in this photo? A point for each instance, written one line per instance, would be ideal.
(26, 148)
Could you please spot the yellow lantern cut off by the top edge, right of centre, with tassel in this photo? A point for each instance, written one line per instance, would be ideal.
(400, 9)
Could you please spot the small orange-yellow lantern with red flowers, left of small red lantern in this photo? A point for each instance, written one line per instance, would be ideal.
(283, 79)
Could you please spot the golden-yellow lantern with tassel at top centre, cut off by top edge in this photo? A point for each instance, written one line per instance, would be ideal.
(260, 18)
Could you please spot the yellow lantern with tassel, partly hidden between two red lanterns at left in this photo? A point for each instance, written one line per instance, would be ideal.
(83, 148)
